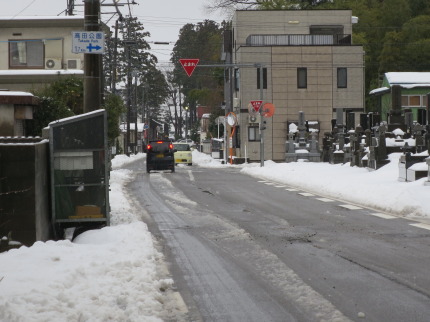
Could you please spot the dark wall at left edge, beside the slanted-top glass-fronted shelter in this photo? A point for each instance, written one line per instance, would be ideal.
(24, 191)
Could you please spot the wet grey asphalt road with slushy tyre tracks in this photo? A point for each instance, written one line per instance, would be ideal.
(241, 249)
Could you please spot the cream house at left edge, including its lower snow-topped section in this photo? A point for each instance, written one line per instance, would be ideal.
(34, 51)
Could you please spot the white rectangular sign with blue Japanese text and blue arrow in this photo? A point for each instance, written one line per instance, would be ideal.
(88, 42)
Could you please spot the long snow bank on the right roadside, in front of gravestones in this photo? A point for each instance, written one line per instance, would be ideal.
(377, 189)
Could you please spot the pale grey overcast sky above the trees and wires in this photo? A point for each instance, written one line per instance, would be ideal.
(162, 18)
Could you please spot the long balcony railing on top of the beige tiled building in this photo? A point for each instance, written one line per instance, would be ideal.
(298, 40)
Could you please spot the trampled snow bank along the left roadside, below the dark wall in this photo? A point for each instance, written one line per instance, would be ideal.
(104, 275)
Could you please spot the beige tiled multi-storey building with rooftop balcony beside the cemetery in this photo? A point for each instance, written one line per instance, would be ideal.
(309, 64)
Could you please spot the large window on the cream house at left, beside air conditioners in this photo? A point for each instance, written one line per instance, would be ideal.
(26, 54)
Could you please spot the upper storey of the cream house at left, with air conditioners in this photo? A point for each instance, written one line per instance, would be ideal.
(35, 51)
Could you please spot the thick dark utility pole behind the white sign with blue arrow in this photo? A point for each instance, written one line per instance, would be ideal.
(92, 62)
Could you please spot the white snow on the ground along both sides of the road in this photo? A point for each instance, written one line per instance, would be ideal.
(111, 274)
